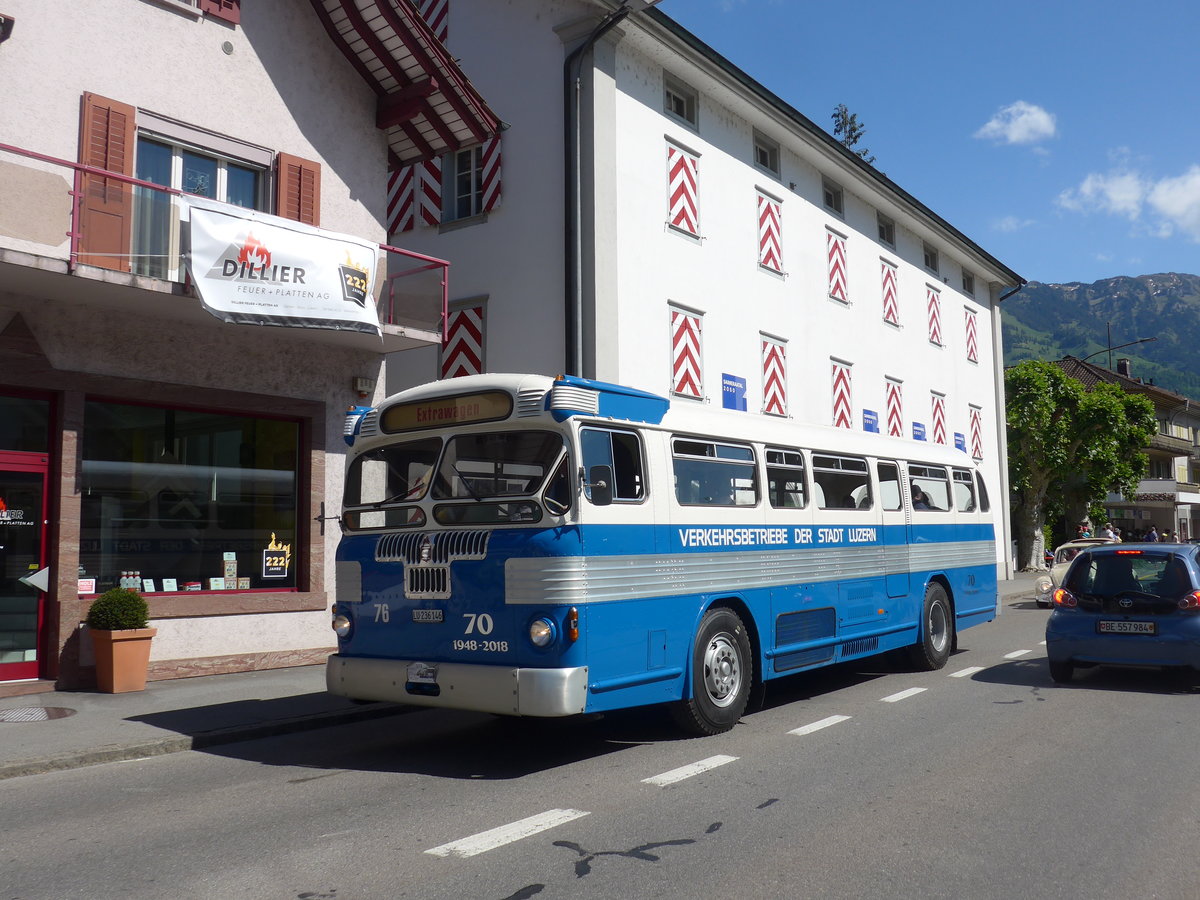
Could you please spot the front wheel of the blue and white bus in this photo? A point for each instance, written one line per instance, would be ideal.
(722, 675)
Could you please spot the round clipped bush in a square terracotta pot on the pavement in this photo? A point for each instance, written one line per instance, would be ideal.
(118, 623)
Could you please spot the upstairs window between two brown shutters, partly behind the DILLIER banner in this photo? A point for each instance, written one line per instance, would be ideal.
(202, 173)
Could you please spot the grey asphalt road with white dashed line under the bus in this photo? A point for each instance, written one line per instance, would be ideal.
(982, 781)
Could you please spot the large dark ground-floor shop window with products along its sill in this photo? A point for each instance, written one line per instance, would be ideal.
(181, 501)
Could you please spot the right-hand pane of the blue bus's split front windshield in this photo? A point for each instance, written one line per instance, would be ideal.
(495, 465)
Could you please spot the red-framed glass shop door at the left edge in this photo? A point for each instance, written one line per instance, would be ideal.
(22, 559)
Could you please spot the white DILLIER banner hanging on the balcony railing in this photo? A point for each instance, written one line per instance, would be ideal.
(251, 268)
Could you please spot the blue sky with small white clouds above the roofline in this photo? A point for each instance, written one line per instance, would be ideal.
(1061, 136)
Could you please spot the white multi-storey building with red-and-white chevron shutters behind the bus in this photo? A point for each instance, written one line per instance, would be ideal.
(652, 217)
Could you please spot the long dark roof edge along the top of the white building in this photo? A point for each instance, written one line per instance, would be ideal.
(831, 146)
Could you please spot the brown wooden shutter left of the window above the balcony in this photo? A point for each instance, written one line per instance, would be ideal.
(107, 140)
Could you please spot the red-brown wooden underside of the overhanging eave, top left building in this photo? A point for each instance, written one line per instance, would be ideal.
(427, 105)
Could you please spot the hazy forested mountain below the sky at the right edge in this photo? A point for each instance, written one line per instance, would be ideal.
(1049, 322)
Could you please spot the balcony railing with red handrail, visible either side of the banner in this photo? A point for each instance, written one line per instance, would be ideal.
(82, 217)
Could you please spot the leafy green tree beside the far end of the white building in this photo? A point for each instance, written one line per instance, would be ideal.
(1069, 447)
